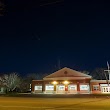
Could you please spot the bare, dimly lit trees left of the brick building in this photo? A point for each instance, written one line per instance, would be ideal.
(13, 82)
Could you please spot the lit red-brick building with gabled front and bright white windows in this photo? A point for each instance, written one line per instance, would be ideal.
(68, 81)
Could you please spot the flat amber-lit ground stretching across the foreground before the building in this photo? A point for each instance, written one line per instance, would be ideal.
(27, 103)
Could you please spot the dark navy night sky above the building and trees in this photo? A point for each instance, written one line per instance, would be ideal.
(36, 35)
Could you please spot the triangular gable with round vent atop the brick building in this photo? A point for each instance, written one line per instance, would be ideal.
(66, 73)
